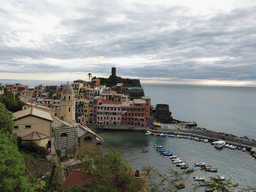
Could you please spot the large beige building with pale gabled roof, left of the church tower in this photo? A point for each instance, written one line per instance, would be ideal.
(33, 125)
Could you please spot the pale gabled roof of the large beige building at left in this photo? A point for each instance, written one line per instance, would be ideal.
(32, 112)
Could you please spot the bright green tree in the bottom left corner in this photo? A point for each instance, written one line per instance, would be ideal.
(11, 168)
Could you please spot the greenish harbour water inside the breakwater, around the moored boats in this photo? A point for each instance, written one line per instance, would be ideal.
(236, 165)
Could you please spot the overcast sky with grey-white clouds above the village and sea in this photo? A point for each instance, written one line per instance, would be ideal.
(180, 41)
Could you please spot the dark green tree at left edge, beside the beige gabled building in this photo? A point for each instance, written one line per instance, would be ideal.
(6, 122)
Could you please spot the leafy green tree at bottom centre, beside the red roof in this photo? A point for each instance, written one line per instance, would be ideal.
(109, 173)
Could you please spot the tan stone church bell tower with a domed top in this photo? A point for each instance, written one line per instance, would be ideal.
(67, 104)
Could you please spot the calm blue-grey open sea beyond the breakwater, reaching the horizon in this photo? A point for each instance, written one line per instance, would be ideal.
(223, 109)
